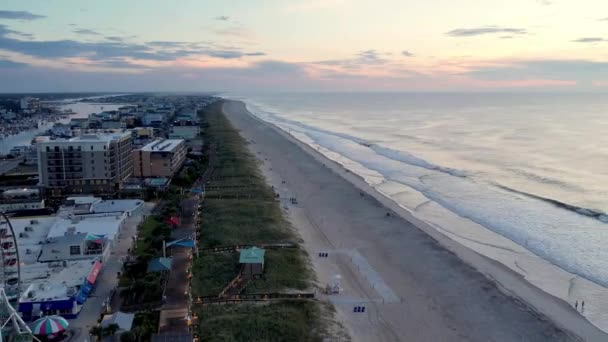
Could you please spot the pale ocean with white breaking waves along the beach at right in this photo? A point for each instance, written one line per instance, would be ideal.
(521, 178)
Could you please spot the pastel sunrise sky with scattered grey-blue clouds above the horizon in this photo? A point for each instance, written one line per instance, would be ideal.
(303, 45)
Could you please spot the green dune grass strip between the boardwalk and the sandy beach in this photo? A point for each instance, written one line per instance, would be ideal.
(255, 219)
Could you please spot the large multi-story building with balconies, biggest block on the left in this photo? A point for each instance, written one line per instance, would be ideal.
(91, 163)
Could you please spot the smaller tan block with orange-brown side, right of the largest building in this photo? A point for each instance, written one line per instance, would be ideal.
(160, 158)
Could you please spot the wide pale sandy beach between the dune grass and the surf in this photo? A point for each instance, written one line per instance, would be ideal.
(415, 283)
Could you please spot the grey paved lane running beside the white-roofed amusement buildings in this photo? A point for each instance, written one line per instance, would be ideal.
(107, 280)
